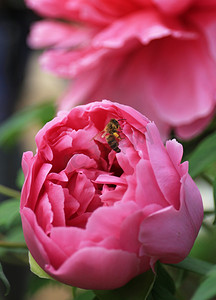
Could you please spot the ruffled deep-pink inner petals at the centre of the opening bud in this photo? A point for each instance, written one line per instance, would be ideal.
(85, 175)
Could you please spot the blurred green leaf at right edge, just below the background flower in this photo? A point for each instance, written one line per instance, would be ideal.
(203, 155)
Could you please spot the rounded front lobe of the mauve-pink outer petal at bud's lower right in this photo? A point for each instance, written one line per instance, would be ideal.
(171, 242)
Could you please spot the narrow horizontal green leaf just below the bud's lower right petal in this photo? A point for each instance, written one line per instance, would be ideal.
(194, 265)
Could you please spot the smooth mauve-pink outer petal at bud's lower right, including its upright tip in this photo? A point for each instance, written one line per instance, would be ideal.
(173, 241)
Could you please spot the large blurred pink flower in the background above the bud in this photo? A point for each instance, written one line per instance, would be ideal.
(158, 56)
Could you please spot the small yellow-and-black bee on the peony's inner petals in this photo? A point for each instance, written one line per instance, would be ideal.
(111, 134)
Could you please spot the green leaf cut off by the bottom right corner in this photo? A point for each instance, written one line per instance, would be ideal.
(207, 289)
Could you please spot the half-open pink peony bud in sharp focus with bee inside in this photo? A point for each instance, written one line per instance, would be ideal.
(95, 217)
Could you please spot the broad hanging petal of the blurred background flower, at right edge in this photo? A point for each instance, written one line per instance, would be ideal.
(182, 59)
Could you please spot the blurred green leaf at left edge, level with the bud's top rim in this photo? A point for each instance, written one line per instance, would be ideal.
(20, 121)
